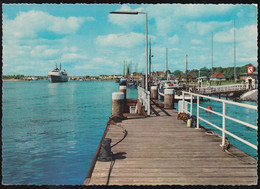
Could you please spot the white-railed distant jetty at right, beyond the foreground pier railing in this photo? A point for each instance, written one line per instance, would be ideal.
(224, 88)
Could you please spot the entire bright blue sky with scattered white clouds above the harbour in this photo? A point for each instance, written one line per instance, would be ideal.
(86, 40)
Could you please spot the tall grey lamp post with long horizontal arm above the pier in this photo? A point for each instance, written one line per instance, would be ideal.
(146, 33)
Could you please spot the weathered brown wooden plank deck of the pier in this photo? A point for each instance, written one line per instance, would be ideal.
(161, 150)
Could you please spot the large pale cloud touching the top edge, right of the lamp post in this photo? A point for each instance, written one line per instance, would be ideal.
(169, 18)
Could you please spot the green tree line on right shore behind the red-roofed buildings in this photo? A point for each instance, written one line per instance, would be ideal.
(228, 72)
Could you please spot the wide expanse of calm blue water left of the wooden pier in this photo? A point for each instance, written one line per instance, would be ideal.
(51, 130)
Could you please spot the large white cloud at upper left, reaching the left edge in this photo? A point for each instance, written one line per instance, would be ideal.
(28, 24)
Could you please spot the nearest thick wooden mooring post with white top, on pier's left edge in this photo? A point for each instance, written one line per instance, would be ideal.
(117, 104)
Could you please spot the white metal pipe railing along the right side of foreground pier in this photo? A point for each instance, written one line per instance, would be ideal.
(223, 115)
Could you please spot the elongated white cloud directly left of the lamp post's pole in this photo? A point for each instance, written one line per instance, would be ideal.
(121, 40)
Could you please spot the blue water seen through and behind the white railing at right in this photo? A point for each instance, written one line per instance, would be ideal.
(243, 114)
